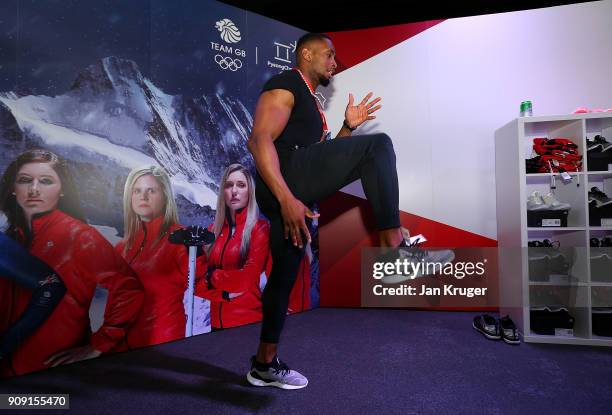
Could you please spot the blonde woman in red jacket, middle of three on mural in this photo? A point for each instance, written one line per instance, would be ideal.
(150, 215)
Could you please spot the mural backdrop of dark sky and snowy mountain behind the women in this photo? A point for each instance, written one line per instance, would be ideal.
(113, 85)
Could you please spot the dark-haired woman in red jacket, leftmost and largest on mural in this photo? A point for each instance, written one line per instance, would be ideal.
(39, 198)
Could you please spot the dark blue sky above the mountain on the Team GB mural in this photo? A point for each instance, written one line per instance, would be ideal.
(44, 45)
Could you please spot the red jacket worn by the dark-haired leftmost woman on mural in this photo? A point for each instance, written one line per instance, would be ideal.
(83, 259)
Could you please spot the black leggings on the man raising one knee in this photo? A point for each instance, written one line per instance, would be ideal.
(313, 173)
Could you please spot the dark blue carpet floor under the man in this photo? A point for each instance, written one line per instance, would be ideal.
(358, 361)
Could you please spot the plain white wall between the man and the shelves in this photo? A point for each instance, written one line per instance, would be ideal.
(446, 91)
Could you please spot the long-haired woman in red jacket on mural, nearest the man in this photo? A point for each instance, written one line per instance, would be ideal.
(239, 254)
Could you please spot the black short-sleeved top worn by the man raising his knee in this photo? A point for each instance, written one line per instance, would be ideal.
(304, 126)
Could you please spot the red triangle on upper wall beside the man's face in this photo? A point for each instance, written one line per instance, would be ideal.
(355, 46)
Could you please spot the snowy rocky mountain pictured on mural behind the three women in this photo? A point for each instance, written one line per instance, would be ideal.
(114, 119)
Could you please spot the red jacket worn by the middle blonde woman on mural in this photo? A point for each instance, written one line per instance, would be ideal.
(162, 268)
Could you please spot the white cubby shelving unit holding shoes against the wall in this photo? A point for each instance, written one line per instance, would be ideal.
(513, 145)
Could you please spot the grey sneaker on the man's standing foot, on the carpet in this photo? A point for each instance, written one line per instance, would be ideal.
(275, 374)
